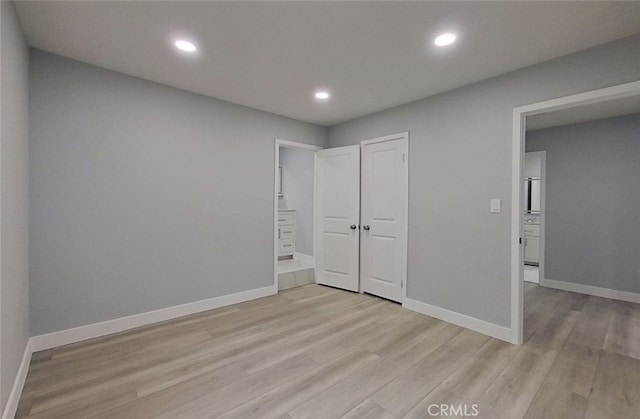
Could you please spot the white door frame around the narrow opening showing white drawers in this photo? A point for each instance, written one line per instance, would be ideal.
(278, 143)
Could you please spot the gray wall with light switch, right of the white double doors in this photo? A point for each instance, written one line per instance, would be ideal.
(460, 158)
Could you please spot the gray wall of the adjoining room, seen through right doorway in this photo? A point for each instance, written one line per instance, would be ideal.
(593, 202)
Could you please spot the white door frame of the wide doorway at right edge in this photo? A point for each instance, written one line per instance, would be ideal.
(518, 137)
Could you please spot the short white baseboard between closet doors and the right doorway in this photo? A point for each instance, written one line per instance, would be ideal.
(468, 322)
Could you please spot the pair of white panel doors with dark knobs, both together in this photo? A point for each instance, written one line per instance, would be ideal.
(361, 216)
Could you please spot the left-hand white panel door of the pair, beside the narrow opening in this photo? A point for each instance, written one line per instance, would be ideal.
(338, 217)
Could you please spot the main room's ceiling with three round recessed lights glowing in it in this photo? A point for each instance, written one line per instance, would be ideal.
(273, 55)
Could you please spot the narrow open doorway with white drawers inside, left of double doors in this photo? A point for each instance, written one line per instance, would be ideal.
(294, 201)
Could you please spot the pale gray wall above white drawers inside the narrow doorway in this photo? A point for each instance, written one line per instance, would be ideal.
(298, 193)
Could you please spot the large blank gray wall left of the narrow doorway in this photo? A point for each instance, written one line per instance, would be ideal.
(144, 196)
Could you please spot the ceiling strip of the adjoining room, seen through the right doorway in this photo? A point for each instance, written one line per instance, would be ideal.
(585, 113)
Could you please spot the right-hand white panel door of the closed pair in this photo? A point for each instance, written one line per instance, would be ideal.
(384, 217)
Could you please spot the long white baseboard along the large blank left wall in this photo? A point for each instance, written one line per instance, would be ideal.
(77, 334)
